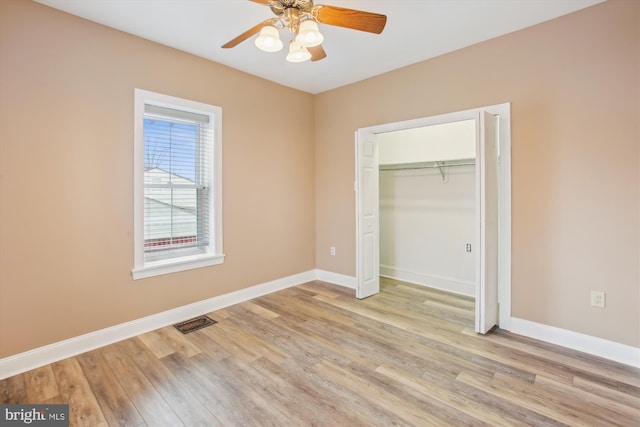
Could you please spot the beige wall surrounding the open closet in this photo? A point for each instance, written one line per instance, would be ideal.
(574, 87)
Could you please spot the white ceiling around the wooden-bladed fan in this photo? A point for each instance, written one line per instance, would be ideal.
(416, 30)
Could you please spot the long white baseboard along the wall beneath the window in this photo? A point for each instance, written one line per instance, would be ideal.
(41, 356)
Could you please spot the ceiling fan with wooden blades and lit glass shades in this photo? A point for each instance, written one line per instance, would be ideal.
(301, 18)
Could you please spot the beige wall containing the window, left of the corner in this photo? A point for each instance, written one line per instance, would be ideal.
(66, 164)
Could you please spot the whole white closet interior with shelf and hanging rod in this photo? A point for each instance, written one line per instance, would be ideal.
(427, 206)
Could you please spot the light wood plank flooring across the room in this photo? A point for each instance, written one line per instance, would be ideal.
(313, 355)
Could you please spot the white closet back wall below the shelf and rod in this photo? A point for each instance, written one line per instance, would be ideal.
(427, 225)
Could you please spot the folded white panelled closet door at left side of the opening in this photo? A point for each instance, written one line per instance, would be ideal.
(367, 212)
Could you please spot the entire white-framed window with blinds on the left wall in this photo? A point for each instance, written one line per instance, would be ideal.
(177, 185)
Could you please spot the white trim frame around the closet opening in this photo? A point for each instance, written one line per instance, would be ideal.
(503, 111)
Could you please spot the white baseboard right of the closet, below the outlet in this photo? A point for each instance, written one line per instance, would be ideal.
(611, 350)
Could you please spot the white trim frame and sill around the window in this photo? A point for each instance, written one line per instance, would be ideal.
(213, 254)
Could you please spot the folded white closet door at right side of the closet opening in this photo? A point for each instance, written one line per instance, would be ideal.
(487, 224)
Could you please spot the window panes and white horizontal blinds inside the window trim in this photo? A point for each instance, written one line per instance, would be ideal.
(176, 182)
